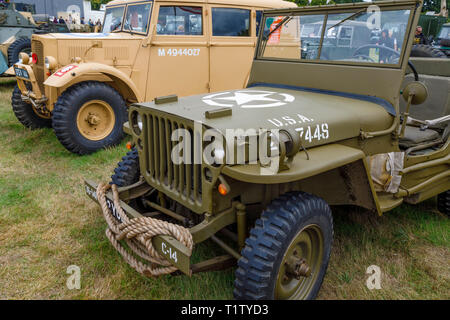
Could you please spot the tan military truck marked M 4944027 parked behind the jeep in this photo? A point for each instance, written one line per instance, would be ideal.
(82, 84)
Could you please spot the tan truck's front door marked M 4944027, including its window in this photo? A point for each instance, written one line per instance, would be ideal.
(179, 59)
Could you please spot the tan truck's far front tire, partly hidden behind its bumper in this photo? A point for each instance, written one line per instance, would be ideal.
(25, 113)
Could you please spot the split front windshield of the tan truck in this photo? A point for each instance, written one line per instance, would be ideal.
(133, 18)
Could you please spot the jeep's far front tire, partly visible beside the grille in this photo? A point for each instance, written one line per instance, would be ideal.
(127, 171)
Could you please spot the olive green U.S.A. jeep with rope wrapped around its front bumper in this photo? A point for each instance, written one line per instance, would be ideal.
(257, 170)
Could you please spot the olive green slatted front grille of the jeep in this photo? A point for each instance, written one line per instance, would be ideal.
(181, 182)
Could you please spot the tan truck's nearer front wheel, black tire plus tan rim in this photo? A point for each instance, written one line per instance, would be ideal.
(89, 116)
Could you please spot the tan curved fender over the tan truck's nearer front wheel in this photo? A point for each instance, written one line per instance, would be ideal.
(94, 72)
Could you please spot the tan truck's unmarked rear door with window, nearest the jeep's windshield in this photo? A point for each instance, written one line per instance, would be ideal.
(233, 40)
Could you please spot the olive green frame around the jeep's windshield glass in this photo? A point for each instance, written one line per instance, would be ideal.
(410, 5)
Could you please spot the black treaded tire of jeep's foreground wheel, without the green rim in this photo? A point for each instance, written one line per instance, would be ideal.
(262, 256)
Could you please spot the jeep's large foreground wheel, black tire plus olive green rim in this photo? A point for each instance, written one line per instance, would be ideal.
(287, 253)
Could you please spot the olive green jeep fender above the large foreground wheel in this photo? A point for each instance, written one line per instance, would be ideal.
(337, 173)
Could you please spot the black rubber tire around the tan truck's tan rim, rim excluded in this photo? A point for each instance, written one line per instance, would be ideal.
(66, 111)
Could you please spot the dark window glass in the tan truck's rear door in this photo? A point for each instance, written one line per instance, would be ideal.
(229, 22)
